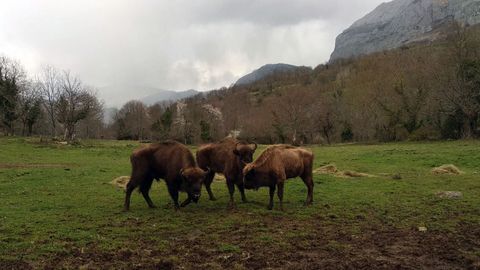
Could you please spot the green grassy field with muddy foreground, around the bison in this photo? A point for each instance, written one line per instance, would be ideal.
(59, 210)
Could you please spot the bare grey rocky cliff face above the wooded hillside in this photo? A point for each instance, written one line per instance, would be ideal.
(400, 22)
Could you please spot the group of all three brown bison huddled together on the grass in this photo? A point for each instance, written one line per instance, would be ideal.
(174, 162)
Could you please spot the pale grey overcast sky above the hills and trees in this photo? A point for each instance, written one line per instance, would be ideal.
(171, 44)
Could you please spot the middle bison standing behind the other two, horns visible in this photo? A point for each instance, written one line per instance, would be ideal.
(227, 157)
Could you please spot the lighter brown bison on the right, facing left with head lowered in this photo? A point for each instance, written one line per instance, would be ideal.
(277, 164)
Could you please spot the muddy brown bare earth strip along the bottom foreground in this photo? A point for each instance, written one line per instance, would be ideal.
(294, 245)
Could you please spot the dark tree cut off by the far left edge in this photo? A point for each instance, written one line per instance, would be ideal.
(12, 78)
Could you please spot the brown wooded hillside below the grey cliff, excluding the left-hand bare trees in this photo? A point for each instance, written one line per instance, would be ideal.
(429, 91)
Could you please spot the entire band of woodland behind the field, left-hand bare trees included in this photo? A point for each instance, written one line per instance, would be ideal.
(417, 92)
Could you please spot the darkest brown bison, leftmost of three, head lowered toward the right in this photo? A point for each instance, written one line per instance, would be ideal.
(168, 160)
